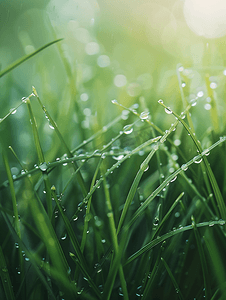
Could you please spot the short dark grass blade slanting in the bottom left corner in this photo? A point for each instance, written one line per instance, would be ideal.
(6, 281)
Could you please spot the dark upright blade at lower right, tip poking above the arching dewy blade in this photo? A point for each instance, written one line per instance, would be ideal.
(205, 272)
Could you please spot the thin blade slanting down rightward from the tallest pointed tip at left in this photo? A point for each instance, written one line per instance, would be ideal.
(54, 125)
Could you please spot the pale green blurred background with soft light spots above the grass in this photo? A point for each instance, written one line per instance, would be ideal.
(124, 50)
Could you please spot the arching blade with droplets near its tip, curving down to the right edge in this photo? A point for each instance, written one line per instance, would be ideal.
(212, 179)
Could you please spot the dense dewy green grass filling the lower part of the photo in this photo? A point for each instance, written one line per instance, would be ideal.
(133, 210)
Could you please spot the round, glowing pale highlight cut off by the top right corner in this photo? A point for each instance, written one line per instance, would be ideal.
(206, 17)
